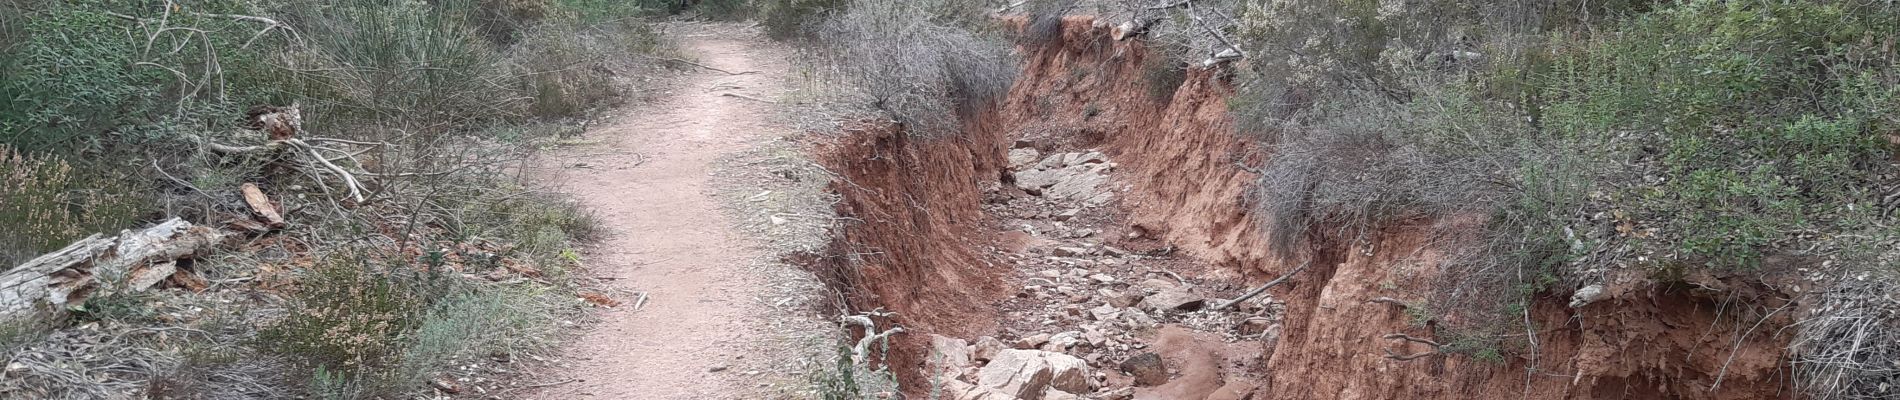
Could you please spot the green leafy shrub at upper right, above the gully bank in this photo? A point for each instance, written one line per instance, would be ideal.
(1758, 117)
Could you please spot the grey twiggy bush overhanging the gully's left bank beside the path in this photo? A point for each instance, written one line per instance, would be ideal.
(924, 73)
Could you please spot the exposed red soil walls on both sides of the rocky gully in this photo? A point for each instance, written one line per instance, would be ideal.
(1181, 164)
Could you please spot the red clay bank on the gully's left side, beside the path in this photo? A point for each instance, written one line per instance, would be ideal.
(913, 251)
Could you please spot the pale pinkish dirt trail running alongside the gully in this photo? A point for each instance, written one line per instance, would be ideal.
(649, 181)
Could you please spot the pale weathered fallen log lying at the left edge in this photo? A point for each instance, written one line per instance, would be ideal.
(132, 261)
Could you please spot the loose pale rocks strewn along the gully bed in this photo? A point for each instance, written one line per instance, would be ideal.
(1086, 318)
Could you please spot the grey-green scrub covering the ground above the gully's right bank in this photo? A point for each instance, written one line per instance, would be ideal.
(1667, 139)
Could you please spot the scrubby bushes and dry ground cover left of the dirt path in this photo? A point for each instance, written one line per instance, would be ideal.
(415, 242)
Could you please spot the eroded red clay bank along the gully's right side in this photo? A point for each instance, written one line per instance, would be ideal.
(1181, 158)
